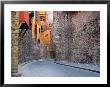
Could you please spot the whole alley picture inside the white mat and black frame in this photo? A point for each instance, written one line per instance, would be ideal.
(41, 40)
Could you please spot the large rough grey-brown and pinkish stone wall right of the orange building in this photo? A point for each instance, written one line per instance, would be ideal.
(77, 36)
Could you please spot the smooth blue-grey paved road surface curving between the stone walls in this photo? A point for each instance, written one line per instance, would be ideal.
(51, 69)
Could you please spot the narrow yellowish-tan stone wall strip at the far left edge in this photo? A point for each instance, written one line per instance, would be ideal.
(14, 42)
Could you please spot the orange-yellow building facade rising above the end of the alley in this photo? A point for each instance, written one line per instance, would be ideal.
(40, 28)
